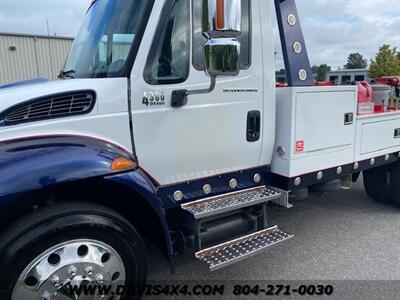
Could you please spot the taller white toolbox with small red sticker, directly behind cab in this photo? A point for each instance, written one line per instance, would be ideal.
(315, 129)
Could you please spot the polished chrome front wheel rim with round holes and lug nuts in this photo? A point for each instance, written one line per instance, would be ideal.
(74, 263)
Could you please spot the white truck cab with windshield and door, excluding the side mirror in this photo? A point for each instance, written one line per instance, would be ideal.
(210, 134)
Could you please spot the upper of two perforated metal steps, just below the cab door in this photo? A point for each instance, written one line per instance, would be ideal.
(228, 202)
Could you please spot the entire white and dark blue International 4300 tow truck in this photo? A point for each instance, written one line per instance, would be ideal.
(166, 125)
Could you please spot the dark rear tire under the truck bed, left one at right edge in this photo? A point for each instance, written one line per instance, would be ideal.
(377, 182)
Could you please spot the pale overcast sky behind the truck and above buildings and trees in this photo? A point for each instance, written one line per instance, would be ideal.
(332, 28)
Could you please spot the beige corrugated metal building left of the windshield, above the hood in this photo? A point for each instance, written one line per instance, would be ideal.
(24, 57)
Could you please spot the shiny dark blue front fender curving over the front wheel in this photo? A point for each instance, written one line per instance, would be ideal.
(35, 163)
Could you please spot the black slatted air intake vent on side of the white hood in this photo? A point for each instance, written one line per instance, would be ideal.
(49, 107)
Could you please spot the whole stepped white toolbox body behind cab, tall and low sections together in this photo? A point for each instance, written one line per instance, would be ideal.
(318, 128)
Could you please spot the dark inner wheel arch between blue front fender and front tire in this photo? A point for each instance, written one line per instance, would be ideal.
(121, 193)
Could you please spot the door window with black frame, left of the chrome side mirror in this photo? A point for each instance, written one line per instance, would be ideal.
(169, 57)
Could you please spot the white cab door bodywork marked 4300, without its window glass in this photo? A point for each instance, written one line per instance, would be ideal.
(205, 137)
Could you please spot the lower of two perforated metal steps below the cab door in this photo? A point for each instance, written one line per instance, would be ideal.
(233, 251)
